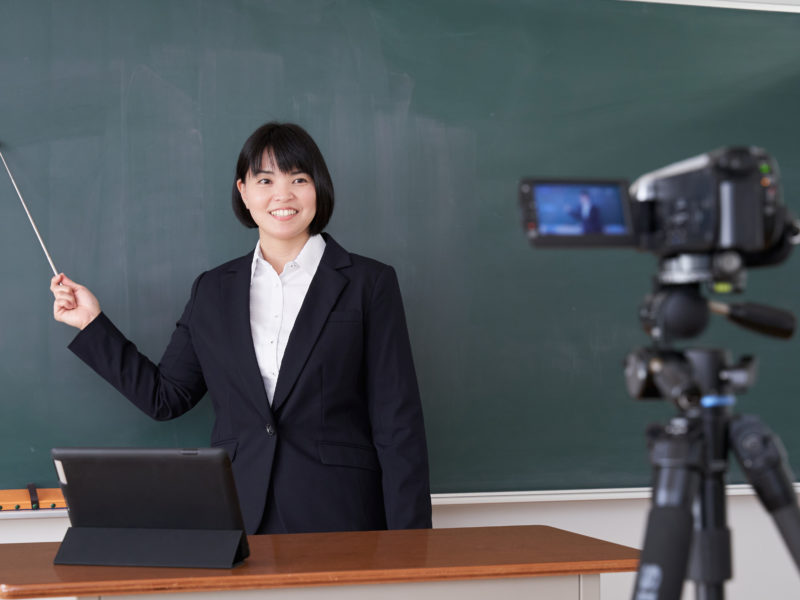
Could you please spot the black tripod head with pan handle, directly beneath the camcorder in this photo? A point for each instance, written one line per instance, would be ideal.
(677, 309)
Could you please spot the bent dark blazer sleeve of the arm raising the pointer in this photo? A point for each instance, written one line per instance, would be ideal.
(162, 391)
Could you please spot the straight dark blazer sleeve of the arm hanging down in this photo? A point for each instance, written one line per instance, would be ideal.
(395, 408)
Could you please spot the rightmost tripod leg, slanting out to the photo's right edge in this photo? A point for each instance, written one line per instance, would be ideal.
(763, 459)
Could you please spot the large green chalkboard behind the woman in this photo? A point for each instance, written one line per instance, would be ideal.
(122, 120)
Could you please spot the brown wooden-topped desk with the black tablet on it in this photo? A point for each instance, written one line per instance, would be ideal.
(480, 562)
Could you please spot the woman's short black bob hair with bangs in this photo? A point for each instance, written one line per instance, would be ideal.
(292, 149)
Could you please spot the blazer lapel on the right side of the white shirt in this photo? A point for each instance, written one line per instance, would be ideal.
(324, 291)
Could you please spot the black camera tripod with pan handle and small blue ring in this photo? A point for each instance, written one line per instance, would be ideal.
(687, 531)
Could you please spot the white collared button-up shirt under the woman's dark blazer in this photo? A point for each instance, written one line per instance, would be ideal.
(275, 301)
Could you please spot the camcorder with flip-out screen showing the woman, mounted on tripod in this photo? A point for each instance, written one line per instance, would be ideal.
(725, 202)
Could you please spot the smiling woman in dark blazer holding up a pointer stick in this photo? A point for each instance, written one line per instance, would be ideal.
(303, 350)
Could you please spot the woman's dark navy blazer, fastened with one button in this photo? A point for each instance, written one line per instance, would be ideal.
(343, 445)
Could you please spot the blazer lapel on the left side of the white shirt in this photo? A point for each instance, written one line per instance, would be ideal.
(236, 309)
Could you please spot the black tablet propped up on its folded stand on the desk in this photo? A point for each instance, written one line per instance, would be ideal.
(141, 491)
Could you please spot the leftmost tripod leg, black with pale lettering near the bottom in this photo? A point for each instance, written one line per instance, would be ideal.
(675, 454)
